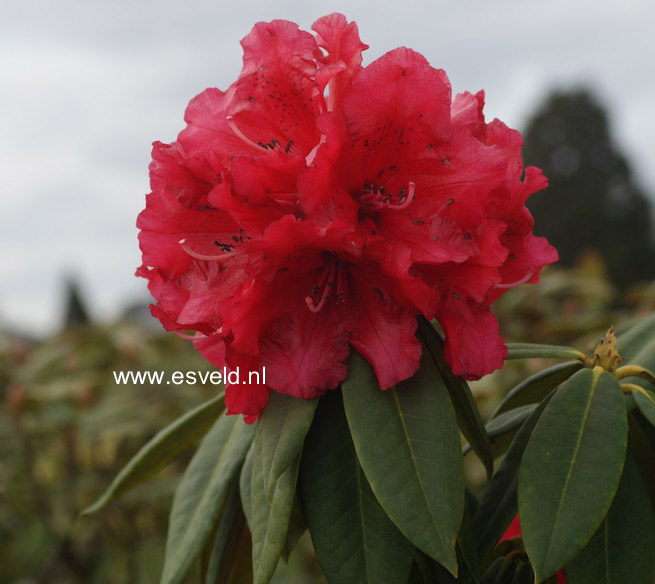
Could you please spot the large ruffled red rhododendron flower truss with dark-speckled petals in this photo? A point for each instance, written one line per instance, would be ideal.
(317, 205)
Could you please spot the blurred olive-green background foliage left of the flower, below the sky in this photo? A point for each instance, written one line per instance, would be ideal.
(65, 428)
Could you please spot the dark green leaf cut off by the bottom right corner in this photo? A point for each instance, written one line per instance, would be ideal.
(621, 551)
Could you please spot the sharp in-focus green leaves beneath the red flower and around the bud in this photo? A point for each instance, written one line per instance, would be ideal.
(378, 477)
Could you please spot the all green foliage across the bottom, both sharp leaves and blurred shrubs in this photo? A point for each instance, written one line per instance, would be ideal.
(252, 495)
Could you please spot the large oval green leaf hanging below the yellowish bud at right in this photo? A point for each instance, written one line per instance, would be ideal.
(571, 469)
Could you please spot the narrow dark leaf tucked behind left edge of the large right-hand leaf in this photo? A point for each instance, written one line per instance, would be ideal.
(498, 504)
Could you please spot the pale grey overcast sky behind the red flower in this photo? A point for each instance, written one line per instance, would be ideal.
(85, 87)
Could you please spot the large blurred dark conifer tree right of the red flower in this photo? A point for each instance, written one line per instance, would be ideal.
(592, 200)
